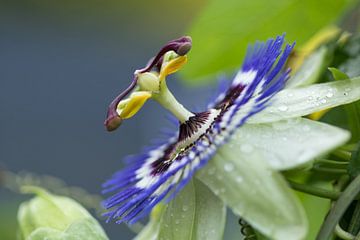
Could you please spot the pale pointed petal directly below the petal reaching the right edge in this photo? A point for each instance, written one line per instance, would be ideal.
(289, 143)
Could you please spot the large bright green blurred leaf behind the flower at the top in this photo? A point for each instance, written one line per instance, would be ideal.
(225, 27)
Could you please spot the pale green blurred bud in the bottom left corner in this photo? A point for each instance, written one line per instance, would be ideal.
(49, 216)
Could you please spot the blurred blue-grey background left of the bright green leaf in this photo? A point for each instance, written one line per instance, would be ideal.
(61, 63)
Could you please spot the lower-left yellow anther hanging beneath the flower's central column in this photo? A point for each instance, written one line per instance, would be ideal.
(133, 104)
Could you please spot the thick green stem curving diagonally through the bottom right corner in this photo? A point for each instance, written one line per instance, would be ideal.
(338, 209)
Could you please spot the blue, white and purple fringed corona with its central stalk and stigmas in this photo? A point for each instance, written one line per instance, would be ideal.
(162, 172)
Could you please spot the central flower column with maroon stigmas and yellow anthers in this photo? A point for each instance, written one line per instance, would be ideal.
(150, 83)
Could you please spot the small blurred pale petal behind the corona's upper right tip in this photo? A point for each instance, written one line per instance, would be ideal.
(310, 70)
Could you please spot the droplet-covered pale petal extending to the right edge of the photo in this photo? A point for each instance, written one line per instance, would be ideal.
(297, 102)
